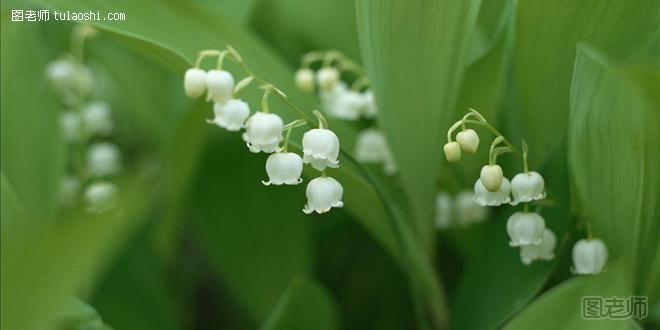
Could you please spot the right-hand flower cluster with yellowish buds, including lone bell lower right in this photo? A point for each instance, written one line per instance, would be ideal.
(525, 229)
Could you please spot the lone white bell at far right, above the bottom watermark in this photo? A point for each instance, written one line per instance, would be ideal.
(589, 256)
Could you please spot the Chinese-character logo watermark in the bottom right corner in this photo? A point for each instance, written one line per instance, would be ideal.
(614, 308)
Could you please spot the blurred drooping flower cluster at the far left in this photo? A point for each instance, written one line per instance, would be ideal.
(85, 125)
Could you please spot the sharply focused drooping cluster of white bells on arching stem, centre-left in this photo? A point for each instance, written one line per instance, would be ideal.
(264, 131)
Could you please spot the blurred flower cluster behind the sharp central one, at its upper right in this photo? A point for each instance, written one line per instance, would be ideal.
(342, 102)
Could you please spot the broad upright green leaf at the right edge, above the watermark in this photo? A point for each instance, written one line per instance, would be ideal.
(613, 158)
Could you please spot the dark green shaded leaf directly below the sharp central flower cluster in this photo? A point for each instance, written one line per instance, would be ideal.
(257, 238)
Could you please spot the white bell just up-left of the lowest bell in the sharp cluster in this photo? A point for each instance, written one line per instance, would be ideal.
(283, 168)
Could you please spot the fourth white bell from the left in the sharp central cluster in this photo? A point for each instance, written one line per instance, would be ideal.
(263, 132)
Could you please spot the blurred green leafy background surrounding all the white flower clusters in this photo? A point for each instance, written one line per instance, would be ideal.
(202, 244)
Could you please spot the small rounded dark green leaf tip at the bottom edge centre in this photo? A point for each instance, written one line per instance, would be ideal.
(305, 304)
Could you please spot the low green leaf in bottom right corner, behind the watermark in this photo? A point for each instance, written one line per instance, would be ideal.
(561, 307)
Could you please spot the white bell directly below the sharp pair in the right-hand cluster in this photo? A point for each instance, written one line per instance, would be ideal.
(525, 228)
